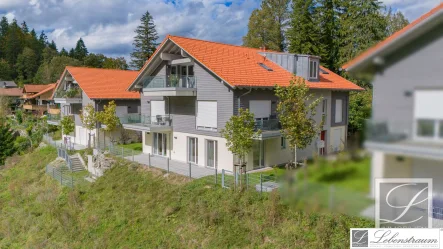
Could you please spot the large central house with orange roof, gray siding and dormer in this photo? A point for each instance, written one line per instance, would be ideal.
(190, 88)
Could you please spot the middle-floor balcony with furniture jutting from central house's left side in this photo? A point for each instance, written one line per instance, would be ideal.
(146, 123)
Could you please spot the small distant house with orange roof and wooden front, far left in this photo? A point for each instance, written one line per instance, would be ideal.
(37, 98)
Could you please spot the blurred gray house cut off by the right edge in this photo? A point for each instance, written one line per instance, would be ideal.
(405, 134)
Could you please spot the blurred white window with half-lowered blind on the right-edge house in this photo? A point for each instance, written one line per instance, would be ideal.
(427, 114)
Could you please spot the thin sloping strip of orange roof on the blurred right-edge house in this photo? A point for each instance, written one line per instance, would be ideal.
(391, 38)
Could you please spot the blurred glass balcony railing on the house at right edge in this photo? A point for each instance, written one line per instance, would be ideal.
(379, 132)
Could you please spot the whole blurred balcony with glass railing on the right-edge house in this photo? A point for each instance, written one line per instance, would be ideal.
(380, 137)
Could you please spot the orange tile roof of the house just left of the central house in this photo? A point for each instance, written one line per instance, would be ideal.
(100, 83)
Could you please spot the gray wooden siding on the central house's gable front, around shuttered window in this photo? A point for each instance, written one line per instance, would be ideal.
(209, 87)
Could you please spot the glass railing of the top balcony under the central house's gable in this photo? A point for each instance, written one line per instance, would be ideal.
(170, 81)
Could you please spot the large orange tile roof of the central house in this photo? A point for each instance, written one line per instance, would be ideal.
(238, 66)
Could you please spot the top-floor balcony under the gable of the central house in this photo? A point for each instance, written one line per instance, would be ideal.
(170, 85)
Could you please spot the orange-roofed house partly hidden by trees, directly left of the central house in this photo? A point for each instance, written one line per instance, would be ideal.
(80, 86)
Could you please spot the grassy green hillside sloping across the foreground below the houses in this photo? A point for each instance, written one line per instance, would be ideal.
(132, 207)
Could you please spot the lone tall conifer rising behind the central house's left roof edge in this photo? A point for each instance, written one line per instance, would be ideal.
(145, 41)
